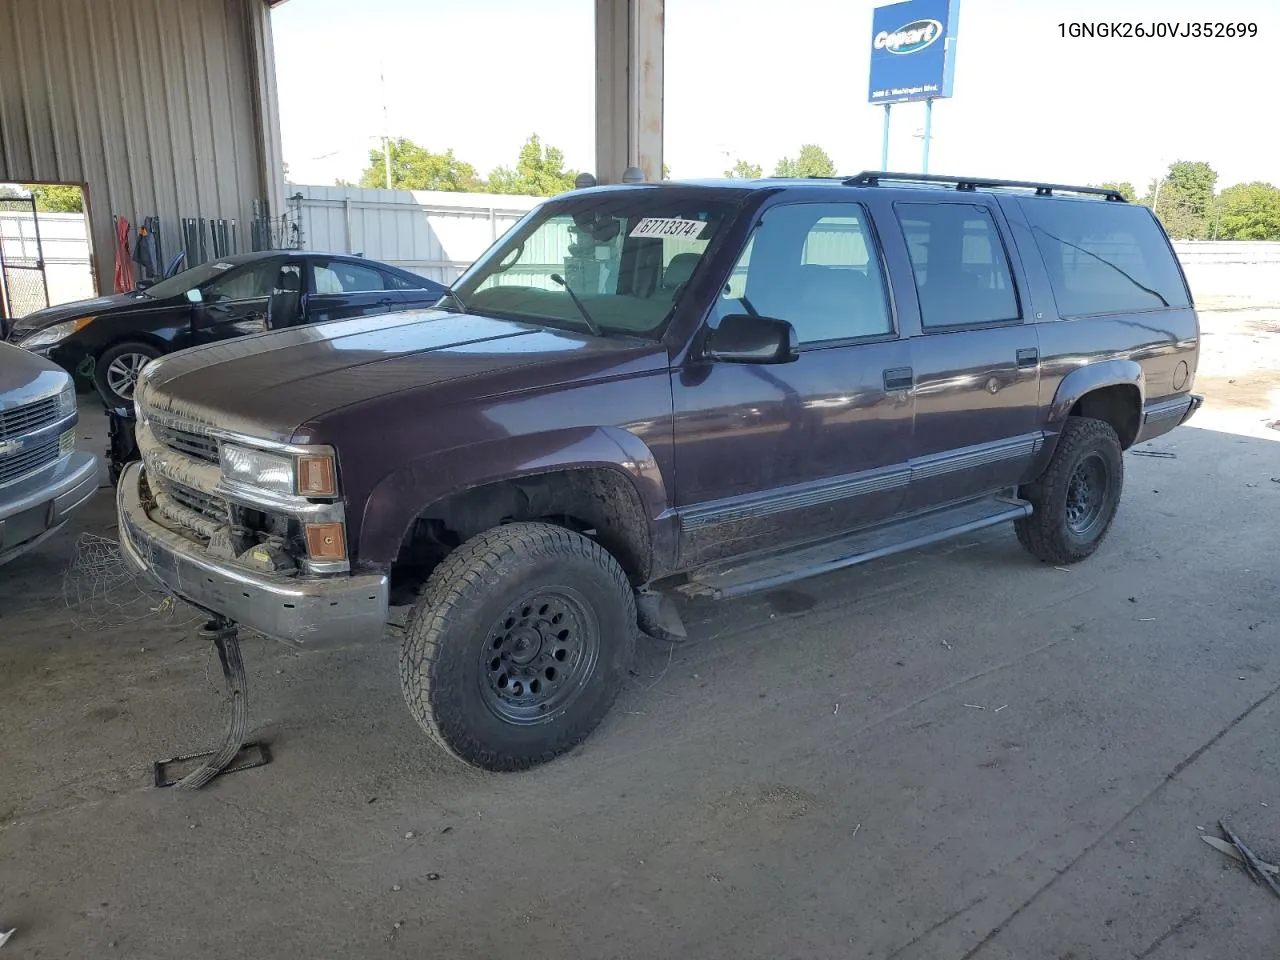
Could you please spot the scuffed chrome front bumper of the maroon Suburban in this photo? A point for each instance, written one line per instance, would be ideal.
(301, 611)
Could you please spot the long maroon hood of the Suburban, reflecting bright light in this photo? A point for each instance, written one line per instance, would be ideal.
(272, 386)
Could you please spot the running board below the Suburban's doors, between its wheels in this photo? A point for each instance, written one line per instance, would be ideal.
(765, 573)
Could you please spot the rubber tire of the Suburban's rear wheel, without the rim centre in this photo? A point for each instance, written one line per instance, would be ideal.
(1046, 533)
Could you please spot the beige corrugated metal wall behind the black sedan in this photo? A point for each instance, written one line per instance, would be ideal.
(159, 107)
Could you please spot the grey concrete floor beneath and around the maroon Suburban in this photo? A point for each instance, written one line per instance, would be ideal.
(949, 755)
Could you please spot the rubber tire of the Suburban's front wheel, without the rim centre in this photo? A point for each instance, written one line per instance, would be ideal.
(467, 600)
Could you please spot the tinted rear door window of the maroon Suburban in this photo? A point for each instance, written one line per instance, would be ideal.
(961, 267)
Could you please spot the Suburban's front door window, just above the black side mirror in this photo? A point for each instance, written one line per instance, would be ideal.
(815, 267)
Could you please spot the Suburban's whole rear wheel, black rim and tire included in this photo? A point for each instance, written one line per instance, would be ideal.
(1077, 497)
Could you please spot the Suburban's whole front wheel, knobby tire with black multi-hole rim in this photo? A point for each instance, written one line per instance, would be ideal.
(519, 646)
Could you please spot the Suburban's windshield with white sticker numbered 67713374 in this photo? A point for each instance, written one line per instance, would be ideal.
(628, 258)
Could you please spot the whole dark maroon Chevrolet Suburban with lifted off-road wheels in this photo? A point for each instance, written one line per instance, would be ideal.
(703, 388)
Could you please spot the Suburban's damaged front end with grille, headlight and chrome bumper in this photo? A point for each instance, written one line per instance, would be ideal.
(248, 529)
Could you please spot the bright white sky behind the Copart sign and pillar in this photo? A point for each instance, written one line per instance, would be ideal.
(756, 80)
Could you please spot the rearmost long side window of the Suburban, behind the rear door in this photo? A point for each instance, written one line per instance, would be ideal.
(1105, 258)
